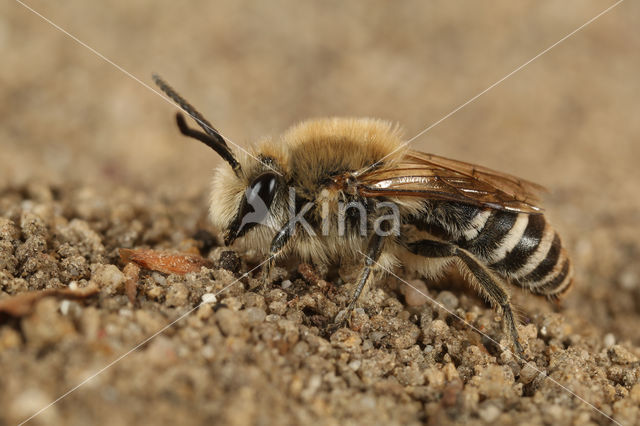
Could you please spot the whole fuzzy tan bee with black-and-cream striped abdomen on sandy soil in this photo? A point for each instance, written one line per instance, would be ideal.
(397, 207)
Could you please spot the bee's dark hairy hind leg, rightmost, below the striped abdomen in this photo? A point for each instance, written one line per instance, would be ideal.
(485, 280)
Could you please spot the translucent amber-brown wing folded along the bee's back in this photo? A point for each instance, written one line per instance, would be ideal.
(438, 178)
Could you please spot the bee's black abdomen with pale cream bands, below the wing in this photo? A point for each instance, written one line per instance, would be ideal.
(521, 247)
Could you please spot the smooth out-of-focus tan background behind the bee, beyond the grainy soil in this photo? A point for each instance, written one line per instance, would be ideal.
(568, 120)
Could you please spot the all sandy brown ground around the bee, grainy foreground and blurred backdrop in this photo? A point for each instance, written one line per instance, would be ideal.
(90, 161)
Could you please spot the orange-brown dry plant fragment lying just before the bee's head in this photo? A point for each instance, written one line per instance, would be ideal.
(167, 263)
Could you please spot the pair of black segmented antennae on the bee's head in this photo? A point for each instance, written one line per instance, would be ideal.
(212, 138)
